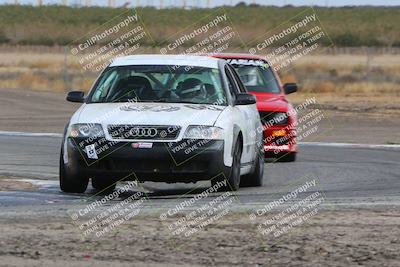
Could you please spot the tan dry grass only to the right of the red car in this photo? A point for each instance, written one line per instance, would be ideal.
(350, 76)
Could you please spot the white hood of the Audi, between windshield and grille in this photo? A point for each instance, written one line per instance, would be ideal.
(149, 114)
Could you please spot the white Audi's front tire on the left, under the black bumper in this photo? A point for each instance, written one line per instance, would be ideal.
(71, 183)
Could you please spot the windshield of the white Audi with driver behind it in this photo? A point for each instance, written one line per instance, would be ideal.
(159, 83)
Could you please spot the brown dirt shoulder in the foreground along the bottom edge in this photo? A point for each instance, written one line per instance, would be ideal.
(330, 238)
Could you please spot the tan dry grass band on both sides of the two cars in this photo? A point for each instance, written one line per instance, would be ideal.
(328, 75)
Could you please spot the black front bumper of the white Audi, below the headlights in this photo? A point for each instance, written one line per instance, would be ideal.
(186, 161)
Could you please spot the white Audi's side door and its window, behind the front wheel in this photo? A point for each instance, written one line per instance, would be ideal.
(245, 117)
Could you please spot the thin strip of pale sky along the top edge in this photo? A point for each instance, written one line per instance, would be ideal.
(218, 2)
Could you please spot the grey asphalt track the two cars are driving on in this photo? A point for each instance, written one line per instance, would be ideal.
(349, 175)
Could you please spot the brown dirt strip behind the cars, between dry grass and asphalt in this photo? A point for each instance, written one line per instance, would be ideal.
(346, 120)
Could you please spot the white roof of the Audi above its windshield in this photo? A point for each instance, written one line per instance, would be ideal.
(173, 60)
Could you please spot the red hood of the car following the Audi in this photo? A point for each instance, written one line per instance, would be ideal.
(271, 102)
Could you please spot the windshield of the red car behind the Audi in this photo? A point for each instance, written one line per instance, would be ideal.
(257, 78)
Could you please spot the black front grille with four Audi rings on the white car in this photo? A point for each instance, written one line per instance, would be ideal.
(144, 132)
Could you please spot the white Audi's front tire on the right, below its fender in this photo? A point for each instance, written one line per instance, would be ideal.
(233, 173)
